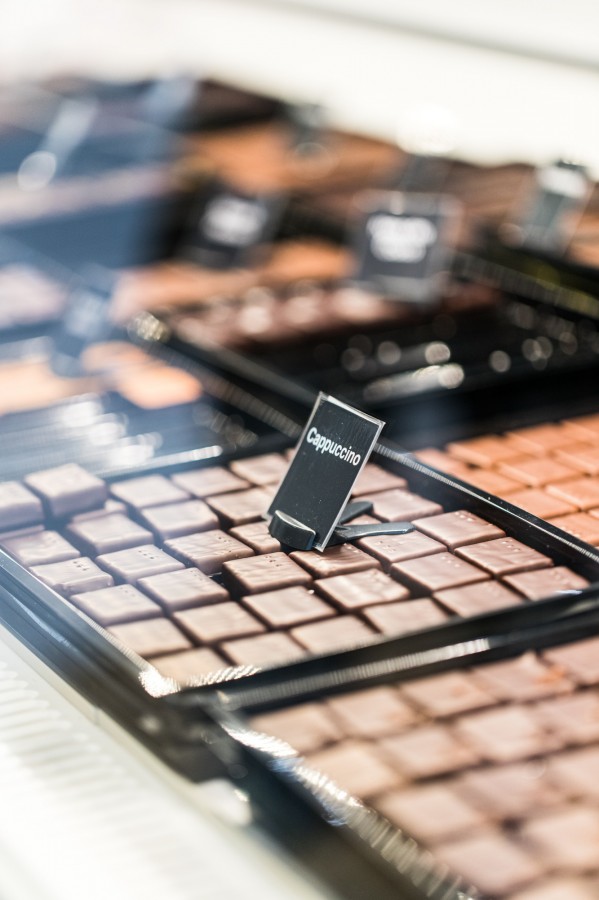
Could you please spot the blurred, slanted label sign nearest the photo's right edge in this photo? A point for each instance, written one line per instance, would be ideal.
(551, 214)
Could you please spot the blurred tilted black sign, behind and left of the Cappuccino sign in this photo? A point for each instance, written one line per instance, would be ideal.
(230, 225)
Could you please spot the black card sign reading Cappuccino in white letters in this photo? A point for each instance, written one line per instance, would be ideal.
(330, 455)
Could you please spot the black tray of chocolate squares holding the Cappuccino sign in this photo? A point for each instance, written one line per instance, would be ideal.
(172, 589)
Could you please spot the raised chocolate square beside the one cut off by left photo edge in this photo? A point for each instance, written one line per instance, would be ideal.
(68, 489)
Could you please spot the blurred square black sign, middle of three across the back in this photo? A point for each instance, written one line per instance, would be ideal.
(403, 246)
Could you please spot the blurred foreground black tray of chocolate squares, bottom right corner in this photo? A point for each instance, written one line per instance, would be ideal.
(466, 773)
